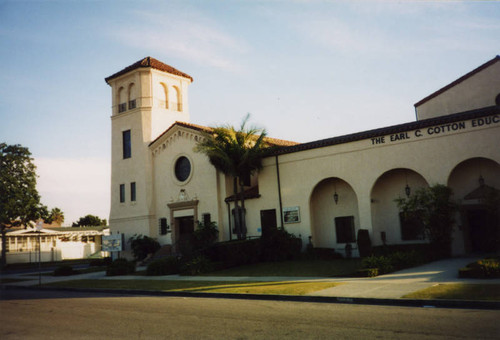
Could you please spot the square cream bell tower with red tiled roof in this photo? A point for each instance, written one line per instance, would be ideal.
(147, 98)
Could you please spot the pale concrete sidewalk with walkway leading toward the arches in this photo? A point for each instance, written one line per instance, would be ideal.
(390, 286)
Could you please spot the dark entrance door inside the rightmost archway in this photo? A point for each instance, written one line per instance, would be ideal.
(482, 231)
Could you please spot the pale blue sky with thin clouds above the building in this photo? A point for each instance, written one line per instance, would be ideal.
(304, 70)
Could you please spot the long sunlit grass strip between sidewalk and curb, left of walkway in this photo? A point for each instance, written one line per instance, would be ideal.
(239, 287)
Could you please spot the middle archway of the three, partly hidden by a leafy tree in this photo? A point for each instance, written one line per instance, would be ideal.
(388, 187)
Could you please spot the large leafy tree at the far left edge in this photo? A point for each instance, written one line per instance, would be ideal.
(19, 199)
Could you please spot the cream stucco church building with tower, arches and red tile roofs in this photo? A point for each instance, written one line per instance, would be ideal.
(322, 191)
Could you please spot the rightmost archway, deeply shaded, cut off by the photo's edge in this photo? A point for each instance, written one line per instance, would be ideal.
(475, 183)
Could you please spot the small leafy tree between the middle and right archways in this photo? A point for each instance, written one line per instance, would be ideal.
(434, 208)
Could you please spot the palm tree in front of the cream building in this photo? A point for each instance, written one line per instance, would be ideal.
(236, 153)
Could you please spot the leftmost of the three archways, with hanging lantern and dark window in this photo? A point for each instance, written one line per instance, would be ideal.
(334, 214)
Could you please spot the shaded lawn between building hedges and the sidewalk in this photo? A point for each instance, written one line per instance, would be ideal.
(330, 268)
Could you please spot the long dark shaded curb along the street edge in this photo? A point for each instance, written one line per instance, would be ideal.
(459, 304)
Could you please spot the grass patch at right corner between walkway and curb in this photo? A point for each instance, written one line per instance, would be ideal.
(459, 291)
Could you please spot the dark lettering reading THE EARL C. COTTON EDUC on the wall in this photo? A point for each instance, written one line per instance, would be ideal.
(437, 130)
